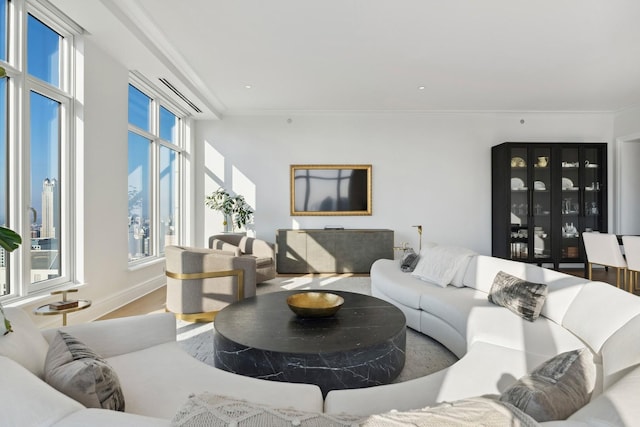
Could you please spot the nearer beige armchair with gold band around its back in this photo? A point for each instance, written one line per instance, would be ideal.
(201, 282)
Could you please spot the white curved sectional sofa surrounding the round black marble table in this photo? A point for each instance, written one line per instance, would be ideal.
(495, 346)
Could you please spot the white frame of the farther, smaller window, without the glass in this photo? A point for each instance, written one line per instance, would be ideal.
(160, 100)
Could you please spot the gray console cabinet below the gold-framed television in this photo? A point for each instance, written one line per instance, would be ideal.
(331, 251)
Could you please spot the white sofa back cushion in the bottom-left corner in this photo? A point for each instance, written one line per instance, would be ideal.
(26, 400)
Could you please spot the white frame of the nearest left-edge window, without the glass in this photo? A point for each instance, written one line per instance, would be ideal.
(19, 88)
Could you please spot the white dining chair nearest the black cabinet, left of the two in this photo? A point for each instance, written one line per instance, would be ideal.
(604, 249)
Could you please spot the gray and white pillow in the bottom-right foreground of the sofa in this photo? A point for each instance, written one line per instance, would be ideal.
(557, 388)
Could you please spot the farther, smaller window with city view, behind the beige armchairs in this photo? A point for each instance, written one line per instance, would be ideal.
(155, 147)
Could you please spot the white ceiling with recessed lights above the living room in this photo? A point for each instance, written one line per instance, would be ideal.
(373, 55)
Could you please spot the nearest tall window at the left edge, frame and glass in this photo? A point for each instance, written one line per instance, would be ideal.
(35, 146)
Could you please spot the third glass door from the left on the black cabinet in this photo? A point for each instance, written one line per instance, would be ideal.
(571, 203)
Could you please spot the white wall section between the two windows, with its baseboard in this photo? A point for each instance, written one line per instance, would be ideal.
(101, 209)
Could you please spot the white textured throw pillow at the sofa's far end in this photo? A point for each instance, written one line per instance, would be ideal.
(440, 264)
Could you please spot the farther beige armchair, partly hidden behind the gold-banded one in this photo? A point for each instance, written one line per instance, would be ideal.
(248, 247)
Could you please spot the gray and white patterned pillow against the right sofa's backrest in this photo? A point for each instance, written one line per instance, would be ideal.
(521, 297)
